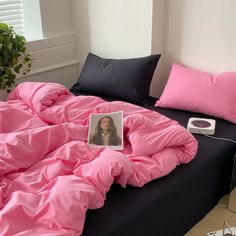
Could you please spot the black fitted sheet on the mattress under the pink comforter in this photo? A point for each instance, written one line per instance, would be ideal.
(173, 204)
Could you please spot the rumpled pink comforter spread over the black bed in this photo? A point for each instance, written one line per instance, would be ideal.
(49, 176)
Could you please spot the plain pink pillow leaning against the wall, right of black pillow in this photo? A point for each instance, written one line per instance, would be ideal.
(196, 91)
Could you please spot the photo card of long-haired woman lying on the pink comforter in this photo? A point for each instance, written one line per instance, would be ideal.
(106, 130)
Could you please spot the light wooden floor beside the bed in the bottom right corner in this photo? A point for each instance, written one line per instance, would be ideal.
(214, 220)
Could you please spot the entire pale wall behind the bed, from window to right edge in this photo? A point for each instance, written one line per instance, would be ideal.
(197, 33)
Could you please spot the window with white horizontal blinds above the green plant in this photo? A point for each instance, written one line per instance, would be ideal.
(11, 12)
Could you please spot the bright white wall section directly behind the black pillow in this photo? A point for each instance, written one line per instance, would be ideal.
(113, 29)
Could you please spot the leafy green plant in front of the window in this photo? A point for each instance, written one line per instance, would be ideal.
(13, 57)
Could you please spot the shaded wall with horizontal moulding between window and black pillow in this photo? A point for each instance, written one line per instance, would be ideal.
(55, 56)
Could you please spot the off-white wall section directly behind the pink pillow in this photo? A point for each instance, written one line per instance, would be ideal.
(201, 34)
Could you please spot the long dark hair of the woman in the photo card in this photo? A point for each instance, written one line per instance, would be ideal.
(97, 138)
